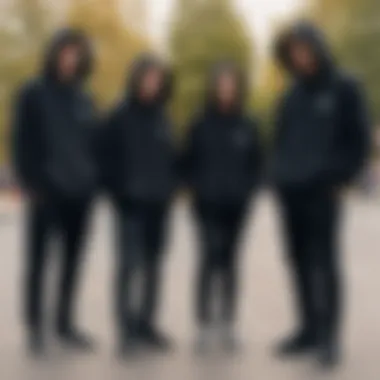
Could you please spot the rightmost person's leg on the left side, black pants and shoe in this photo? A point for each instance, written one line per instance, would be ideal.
(297, 236)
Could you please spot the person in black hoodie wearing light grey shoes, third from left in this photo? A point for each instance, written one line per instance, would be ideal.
(222, 169)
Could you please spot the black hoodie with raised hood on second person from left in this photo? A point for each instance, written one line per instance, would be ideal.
(138, 156)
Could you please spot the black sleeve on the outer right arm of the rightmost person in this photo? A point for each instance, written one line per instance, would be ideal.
(355, 135)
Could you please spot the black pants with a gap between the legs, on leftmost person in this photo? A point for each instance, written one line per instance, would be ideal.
(67, 218)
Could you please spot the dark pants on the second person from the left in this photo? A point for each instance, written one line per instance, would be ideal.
(141, 236)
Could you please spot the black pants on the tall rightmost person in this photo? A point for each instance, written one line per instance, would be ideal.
(311, 225)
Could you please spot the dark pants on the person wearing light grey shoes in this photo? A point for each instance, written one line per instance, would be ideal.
(219, 227)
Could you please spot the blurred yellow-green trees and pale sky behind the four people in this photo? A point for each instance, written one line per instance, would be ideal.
(192, 34)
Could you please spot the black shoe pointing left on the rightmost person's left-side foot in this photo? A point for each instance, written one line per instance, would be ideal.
(300, 344)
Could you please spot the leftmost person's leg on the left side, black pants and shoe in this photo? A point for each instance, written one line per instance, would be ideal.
(38, 225)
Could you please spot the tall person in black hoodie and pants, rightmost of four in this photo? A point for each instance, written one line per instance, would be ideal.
(322, 143)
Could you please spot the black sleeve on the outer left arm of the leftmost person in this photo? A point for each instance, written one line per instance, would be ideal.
(26, 139)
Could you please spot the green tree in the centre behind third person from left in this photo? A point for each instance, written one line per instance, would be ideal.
(203, 32)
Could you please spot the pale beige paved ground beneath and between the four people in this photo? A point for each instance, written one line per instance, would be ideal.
(265, 305)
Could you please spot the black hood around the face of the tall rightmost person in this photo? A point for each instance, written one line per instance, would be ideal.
(310, 34)
